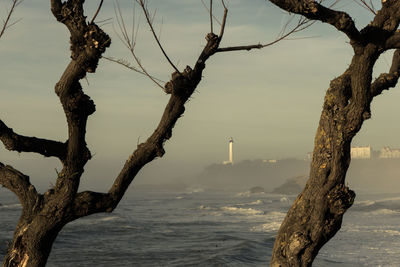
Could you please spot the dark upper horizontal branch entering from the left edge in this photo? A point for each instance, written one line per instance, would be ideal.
(20, 143)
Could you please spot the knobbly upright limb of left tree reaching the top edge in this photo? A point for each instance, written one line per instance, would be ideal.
(88, 43)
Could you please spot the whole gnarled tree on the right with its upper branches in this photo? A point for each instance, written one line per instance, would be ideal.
(316, 215)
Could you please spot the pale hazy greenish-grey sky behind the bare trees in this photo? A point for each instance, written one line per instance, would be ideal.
(268, 100)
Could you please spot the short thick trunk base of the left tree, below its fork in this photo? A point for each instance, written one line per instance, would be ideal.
(32, 242)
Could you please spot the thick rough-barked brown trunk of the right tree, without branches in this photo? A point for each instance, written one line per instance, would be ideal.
(316, 215)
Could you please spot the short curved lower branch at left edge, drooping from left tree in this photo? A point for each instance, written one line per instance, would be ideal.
(20, 185)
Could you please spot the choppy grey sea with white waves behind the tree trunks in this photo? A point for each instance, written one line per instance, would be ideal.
(204, 227)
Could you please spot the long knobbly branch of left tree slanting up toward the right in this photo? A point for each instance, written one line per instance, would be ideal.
(181, 87)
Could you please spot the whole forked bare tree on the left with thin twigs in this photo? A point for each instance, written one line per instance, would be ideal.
(44, 215)
